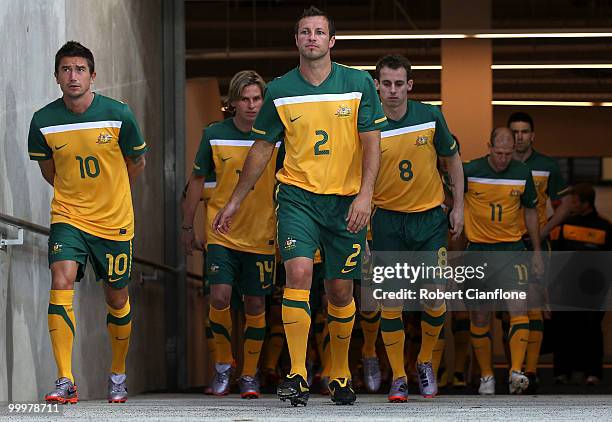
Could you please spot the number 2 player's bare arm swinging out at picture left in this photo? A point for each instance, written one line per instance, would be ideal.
(254, 165)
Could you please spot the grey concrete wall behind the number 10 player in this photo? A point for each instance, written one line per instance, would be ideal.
(125, 37)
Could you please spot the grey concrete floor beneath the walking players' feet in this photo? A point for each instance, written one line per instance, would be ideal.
(171, 407)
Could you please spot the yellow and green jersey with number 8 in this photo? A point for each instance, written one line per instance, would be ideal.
(408, 180)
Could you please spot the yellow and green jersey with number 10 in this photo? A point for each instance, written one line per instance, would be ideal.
(91, 185)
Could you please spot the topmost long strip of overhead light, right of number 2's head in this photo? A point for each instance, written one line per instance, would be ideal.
(480, 34)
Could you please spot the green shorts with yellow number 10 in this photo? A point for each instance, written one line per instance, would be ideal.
(111, 259)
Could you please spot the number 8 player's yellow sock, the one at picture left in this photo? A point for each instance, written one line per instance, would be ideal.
(392, 331)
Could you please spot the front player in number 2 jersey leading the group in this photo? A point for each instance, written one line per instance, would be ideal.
(331, 118)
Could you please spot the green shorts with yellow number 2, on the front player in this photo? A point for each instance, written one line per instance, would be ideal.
(307, 221)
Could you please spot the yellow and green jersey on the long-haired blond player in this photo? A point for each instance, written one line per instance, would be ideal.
(223, 150)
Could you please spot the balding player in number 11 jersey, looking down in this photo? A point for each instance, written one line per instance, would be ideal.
(498, 189)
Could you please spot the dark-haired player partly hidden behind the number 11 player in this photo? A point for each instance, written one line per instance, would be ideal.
(549, 184)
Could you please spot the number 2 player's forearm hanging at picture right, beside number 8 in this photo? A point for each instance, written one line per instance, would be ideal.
(361, 207)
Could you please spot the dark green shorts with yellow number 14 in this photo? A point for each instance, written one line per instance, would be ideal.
(250, 273)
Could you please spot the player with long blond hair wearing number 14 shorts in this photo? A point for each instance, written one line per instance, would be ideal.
(243, 259)
